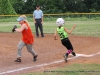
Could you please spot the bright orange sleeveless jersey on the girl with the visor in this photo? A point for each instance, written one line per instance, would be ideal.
(28, 37)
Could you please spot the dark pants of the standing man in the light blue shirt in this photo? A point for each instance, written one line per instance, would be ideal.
(39, 25)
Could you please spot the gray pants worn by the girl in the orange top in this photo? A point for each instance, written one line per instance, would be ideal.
(28, 46)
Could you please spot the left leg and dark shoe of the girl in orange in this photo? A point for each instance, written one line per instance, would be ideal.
(20, 46)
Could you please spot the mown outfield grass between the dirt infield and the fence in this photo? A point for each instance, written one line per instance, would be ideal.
(84, 28)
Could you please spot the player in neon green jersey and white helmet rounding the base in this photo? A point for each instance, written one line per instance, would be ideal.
(63, 33)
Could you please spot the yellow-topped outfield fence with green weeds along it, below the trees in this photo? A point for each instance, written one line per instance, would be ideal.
(52, 17)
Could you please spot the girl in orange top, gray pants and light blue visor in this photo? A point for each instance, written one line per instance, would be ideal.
(27, 38)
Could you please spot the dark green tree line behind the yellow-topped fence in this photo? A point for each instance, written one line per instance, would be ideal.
(49, 6)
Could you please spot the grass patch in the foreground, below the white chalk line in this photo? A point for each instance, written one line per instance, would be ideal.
(75, 69)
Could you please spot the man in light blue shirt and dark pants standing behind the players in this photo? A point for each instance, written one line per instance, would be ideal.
(38, 20)
